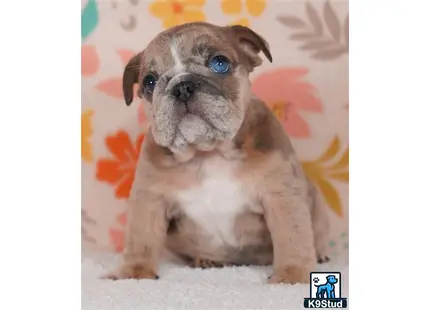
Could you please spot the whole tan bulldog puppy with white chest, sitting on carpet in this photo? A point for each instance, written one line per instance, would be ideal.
(217, 180)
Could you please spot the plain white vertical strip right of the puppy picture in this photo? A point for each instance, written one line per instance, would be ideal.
(389, 163)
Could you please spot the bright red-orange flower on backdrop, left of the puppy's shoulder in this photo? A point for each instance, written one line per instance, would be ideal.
(120, 170)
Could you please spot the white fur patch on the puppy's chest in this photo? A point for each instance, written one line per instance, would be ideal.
(215, 203)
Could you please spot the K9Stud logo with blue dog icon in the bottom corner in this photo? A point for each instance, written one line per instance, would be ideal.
(325, 291)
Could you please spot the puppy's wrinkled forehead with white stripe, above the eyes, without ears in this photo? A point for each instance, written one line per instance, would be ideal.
(182, 45)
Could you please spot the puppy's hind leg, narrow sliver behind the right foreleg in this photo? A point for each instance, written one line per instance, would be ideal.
(320, 225)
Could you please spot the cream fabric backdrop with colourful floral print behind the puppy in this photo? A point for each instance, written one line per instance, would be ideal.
(306, 86)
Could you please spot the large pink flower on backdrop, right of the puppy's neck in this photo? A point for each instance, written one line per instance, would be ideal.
(287, 95)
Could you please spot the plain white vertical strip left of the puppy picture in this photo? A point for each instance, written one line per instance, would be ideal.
(40, 195)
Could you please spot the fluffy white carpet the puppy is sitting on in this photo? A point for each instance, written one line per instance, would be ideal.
(179, 287)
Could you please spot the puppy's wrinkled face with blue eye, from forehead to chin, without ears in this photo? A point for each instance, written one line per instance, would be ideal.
(195, 81)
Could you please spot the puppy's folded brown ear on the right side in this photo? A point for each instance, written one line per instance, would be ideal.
(251, 43)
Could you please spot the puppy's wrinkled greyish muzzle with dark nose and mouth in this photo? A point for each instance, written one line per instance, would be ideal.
(193, 110)
